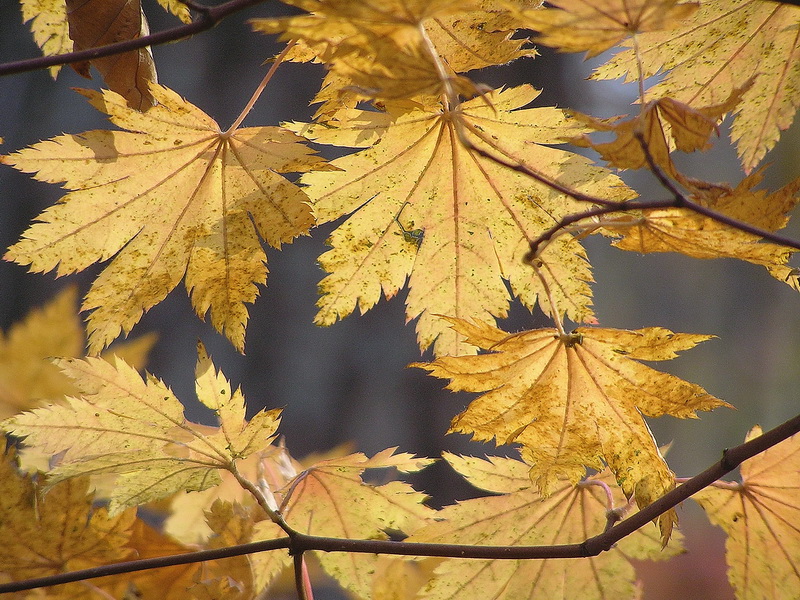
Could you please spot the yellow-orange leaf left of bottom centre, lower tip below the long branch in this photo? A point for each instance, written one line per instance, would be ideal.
(331, 499)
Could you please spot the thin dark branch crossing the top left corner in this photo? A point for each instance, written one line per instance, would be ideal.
(208, 17)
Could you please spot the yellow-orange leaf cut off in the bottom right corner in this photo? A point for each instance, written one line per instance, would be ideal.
(760, 516)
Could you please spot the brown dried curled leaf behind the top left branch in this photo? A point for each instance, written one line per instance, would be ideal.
(95, 23)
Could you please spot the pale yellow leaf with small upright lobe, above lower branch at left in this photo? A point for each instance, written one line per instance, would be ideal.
(136, 430)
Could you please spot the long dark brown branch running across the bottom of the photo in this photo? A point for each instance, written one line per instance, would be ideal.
(299, 543)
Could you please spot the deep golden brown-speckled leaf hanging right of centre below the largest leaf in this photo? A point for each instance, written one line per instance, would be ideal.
(575, 401)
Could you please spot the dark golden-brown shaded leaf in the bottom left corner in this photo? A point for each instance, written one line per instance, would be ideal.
(45, 534)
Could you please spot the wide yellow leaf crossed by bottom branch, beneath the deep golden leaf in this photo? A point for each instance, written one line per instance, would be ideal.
(521, 517)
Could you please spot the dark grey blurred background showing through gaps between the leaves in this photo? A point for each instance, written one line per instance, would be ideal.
(349, 382)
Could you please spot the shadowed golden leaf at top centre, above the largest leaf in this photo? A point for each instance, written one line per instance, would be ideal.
(399, 48)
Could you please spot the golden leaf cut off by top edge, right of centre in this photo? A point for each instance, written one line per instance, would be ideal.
(594, 27)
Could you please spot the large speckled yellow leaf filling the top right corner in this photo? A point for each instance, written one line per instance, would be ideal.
(724, 45)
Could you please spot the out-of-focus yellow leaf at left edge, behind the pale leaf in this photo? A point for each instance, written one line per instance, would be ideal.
(27, 375)
